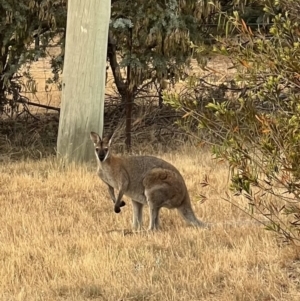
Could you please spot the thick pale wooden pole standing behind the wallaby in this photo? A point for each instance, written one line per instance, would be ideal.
(84, 73)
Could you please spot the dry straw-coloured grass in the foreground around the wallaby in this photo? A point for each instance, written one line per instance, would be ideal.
(61, 240)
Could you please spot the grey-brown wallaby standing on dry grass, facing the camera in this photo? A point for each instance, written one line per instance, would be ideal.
(144, 179)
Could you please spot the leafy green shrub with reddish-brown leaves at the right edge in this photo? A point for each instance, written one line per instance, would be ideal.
(255, 128)
